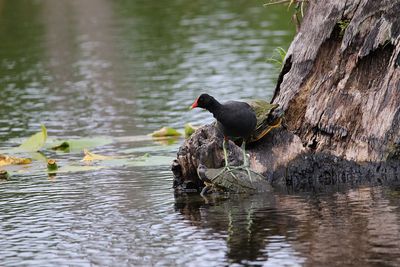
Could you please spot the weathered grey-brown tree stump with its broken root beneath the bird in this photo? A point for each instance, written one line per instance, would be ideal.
(340, 90)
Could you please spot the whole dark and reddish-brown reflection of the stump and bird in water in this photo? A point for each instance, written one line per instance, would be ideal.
(354, 227)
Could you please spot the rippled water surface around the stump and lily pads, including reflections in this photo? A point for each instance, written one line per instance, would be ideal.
(126, 68)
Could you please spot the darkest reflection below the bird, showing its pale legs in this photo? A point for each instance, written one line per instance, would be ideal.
(245, 220)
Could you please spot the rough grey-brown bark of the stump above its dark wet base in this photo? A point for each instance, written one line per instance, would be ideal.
(341, 89)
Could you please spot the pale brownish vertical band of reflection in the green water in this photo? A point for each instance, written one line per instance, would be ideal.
(81, 68)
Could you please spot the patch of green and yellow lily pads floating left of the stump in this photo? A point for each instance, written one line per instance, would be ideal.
(13, 165)
